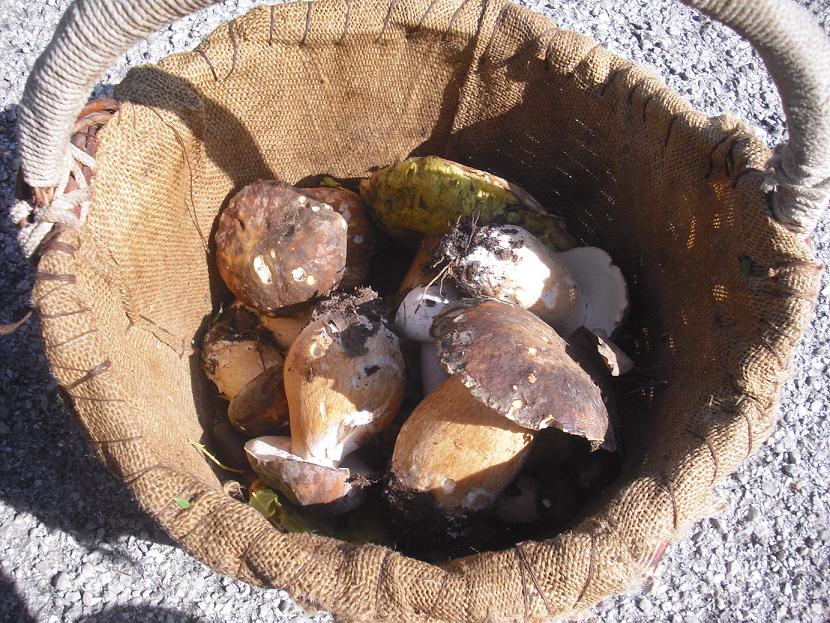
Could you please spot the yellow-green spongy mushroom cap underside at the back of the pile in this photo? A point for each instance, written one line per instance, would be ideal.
(425, 196)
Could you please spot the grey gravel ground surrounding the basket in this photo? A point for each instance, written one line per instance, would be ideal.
(73, 547)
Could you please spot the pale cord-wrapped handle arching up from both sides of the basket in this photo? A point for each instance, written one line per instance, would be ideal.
(93, 33)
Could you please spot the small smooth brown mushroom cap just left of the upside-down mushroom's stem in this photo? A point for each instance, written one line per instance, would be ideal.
(260, 407)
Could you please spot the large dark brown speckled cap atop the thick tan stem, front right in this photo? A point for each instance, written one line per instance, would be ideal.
(517, 365)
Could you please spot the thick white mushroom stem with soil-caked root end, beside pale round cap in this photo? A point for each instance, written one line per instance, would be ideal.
(510, 264)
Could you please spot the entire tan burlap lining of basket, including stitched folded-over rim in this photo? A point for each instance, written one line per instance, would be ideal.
(720, 291)
